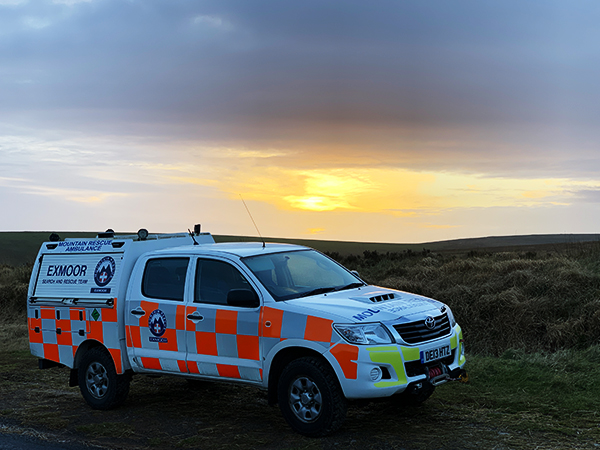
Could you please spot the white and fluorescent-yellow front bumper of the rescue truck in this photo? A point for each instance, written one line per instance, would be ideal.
(386, 370)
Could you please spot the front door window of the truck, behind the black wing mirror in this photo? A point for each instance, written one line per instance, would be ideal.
(214, 280)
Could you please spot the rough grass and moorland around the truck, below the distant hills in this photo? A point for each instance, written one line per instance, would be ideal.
(531, 320)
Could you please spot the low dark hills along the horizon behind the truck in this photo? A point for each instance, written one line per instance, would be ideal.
(18, 248)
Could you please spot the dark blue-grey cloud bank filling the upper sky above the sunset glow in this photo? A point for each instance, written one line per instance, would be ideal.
(442, 83)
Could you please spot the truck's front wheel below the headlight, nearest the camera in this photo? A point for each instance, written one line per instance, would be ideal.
(310, 397)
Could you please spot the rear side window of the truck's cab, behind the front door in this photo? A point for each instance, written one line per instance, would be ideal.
(164, 278)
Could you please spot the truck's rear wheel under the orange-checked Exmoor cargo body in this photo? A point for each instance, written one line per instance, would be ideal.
(99, 383)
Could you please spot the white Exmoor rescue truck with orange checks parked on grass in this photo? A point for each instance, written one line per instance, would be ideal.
(283, 318)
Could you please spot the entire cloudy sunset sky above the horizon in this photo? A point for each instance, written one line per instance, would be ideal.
(383, 121)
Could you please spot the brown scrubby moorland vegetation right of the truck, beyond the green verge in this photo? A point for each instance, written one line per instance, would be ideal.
(503, 301)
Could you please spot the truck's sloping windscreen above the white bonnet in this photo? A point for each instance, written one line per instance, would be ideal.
(296, 274)
